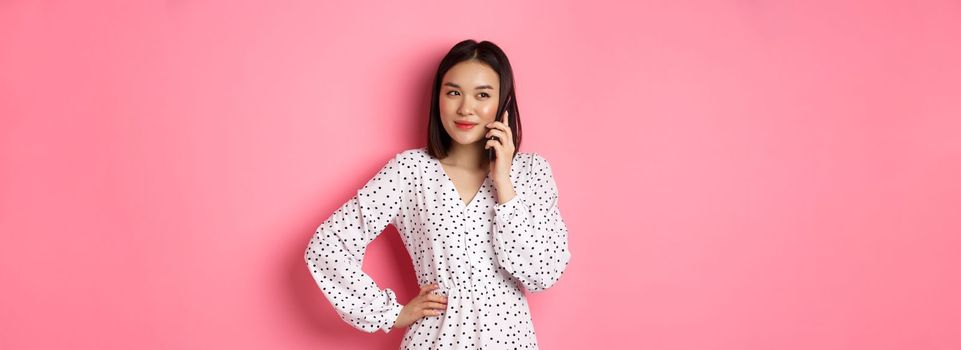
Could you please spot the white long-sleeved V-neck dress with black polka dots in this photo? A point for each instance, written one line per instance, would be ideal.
(480, 253)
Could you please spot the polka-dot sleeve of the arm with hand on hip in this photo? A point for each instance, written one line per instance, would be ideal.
(336, 252)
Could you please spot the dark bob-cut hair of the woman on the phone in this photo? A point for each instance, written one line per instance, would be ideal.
(438, 141)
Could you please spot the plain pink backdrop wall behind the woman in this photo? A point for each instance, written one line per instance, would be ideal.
(734, 174)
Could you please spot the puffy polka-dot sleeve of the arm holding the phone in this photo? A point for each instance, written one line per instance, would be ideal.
(530, 237)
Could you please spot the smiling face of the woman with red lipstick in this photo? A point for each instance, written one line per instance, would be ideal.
(468, 101)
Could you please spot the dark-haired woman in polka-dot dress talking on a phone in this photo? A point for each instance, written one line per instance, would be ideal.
(476, 229)
